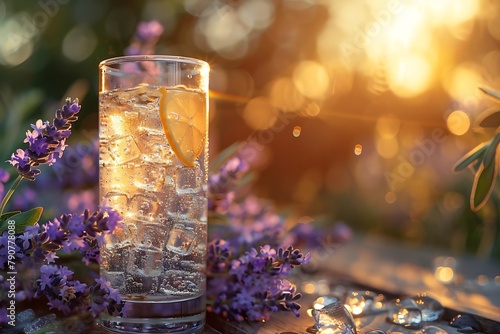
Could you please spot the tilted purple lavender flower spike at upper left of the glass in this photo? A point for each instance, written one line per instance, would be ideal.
(46, 143)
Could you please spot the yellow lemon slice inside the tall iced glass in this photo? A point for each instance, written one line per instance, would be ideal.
(183, 116)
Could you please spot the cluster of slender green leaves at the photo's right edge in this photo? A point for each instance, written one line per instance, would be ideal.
(484, 159)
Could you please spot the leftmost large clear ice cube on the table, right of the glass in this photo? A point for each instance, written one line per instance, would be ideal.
(335, 318)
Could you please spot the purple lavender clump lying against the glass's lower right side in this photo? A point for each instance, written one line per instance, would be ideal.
(252, 286)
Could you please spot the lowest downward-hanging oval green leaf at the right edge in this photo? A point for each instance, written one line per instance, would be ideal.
(484, 182)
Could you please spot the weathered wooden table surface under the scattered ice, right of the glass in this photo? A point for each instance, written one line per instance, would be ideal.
(401, 270)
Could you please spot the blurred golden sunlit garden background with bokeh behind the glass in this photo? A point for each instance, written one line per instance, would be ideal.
(358, 110)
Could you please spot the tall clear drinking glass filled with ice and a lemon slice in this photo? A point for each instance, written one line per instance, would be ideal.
(153, 155)
